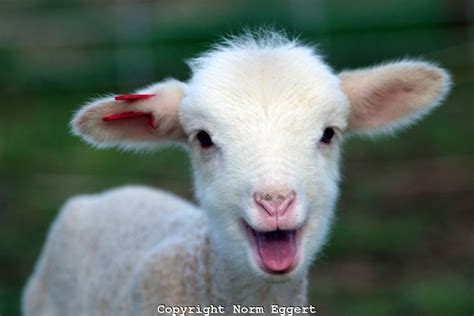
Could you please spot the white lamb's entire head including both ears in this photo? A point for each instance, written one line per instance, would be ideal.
(263, 120)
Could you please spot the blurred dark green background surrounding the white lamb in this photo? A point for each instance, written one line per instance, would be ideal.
(403, 242)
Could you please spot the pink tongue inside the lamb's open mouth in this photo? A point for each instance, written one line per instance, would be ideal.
(277, 249)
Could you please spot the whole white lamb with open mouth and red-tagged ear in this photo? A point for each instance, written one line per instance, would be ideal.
(262, 117)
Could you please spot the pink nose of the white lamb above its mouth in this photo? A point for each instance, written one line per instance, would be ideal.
(275, 203)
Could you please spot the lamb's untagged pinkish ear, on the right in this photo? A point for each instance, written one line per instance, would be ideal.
(389, 96)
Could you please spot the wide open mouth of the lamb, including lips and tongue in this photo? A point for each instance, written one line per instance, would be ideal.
(277, 251)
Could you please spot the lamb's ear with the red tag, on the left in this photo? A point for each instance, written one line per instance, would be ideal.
(143, 120)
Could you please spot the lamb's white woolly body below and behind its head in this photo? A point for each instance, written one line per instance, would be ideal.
(125, 251)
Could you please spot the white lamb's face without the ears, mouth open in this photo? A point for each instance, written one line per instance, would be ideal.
(264, 128)
